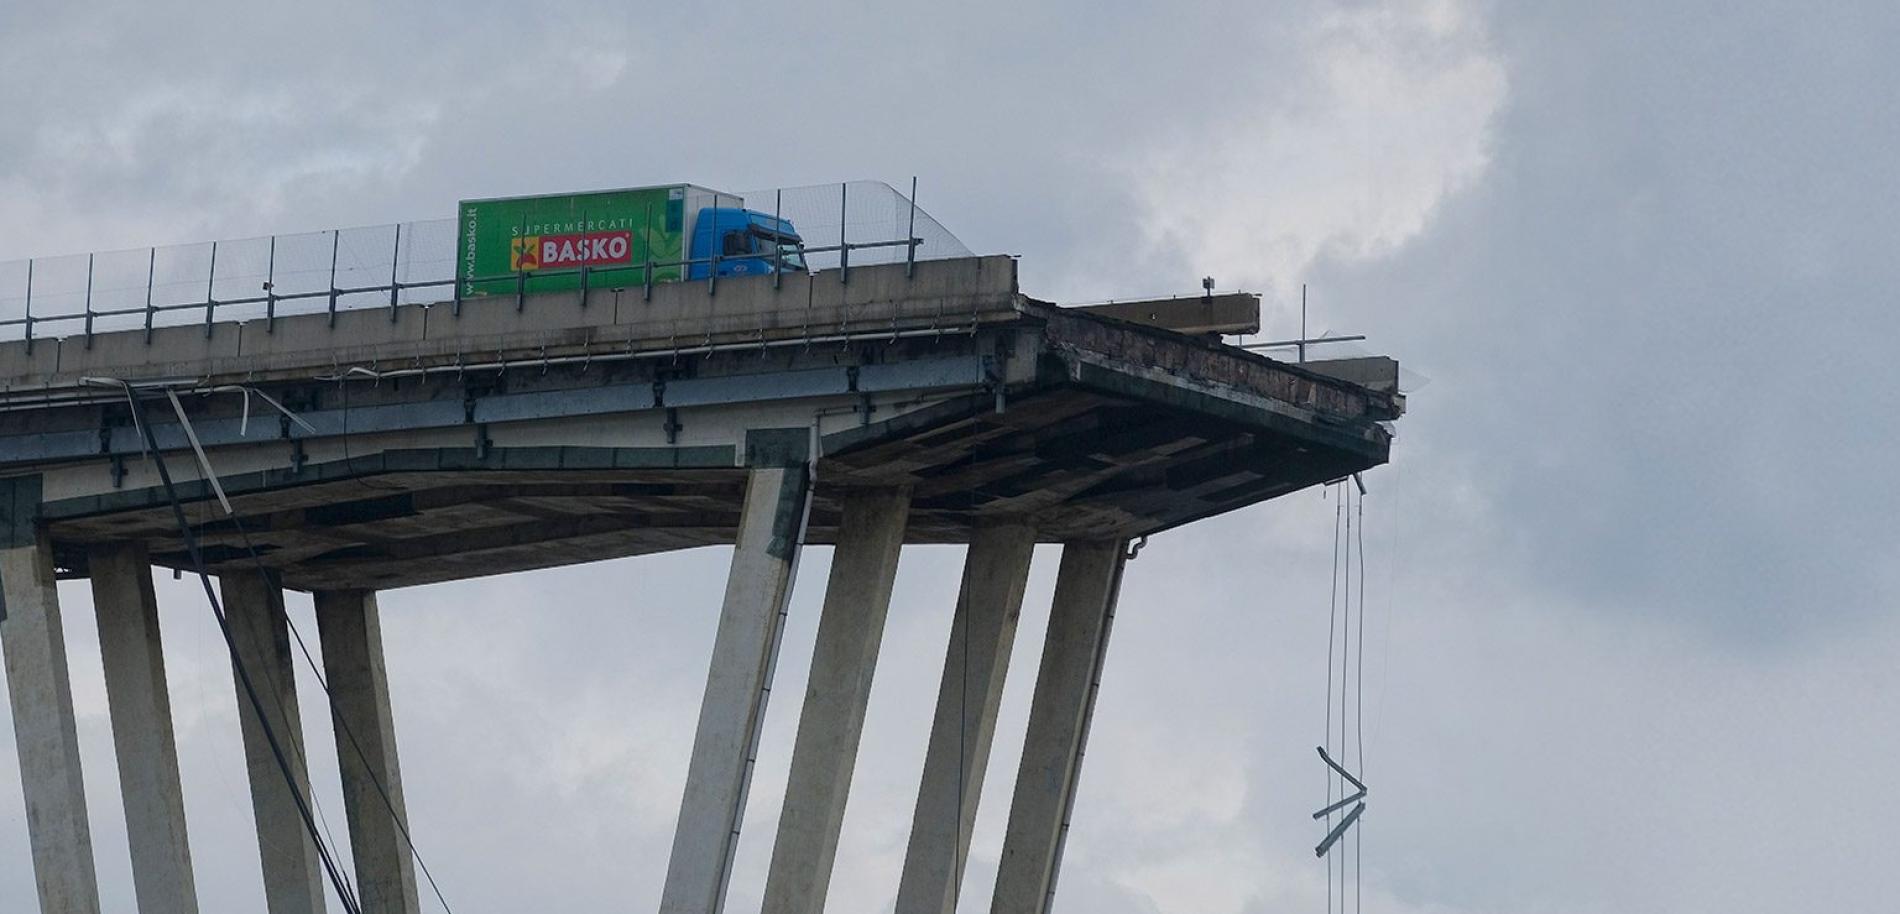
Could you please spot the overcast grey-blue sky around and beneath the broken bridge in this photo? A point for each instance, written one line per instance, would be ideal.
(1633, 569)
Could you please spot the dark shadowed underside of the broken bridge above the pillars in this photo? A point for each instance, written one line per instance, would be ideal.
(1078, 465)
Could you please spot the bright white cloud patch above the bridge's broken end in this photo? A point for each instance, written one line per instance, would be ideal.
(1384, 117)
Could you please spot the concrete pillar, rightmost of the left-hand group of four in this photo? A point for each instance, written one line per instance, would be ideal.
(351, 630)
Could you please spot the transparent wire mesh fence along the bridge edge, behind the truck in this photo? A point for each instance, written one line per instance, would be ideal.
(858, 223)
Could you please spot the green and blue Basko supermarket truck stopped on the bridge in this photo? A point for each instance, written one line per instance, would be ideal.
(617, 238)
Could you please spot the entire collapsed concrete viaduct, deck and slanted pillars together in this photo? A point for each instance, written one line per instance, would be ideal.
(865, 411)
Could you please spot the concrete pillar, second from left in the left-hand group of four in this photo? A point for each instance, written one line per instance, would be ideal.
(142, 729)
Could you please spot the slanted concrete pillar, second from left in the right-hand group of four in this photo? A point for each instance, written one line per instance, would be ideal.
(833, 719)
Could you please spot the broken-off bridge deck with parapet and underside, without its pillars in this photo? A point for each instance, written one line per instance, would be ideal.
(550, 432)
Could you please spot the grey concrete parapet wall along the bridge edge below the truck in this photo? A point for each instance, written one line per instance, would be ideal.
(679, 316)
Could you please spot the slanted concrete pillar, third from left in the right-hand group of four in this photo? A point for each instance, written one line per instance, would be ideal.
(981, 636)
